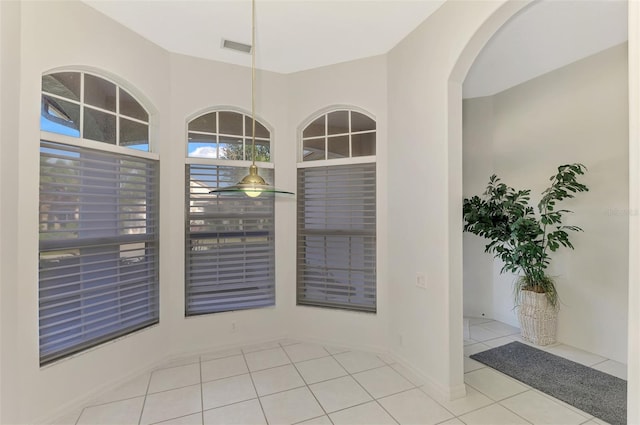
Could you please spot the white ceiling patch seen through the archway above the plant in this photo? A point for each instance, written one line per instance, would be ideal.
(545, 36)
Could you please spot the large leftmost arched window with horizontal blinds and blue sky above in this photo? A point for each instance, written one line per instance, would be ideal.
(98, 277)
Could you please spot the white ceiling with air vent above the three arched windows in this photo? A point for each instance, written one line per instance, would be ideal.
(291, 35)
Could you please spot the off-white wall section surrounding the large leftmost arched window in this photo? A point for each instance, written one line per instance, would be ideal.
(81, 37)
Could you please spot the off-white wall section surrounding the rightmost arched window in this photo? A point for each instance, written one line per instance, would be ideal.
(361, 84)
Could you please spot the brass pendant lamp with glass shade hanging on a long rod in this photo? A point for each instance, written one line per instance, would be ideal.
(252, 184)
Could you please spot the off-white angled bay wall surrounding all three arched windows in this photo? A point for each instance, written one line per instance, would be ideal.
(175, 88)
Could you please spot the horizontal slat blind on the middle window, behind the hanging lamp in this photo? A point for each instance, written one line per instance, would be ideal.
(229, 244)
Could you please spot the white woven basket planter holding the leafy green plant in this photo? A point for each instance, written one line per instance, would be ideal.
(538, 318)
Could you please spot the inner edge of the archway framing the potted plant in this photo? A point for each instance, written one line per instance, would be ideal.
(502, 14)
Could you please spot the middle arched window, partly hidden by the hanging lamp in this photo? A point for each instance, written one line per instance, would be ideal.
(230, 247)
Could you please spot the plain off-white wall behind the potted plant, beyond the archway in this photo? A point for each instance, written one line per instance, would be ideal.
(578, 113)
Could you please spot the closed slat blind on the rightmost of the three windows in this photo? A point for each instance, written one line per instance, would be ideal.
(337, 236)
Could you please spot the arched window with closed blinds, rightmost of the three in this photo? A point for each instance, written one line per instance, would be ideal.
(336, 234)
